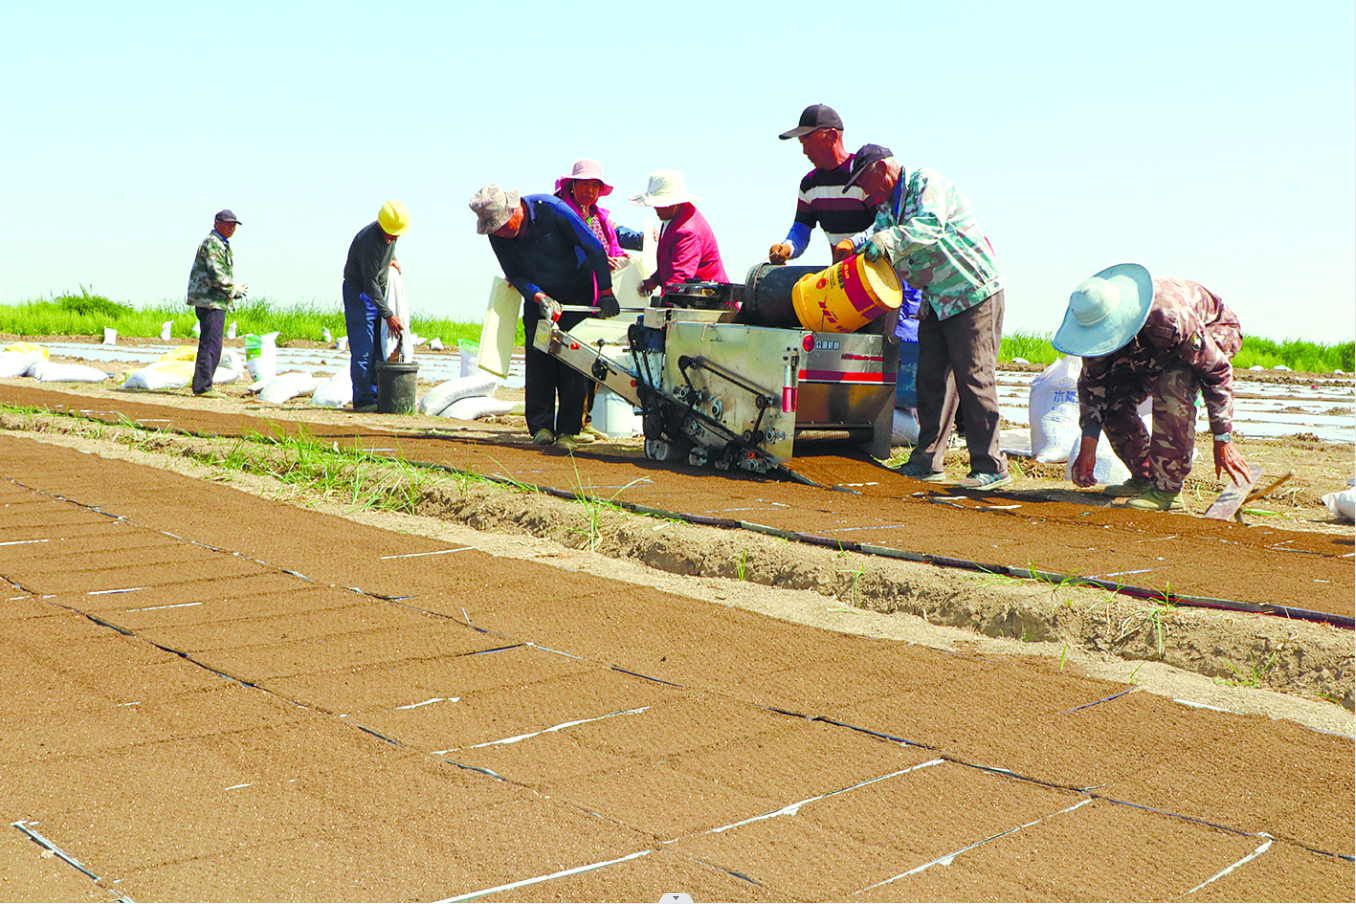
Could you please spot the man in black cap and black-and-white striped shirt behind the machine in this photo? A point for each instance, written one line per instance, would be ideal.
(821, 201)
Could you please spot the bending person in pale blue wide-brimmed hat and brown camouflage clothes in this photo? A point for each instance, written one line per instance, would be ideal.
(1144, 337)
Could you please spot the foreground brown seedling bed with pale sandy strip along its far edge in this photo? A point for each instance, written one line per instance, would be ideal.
(220, 696)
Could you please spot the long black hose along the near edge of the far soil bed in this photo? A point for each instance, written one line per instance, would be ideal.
(930, 559)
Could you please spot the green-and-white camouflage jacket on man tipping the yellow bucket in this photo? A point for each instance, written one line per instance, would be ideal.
(934, 241)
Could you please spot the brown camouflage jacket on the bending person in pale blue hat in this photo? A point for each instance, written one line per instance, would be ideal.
(1189, 325)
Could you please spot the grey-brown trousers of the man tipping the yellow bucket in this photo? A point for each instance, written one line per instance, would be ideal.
(961, 350)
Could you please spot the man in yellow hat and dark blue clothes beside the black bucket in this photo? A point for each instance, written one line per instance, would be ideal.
(371, 258)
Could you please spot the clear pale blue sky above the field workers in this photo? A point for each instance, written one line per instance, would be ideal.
(1214, 142)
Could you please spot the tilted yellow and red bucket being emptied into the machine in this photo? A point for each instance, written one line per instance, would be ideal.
(848, 296)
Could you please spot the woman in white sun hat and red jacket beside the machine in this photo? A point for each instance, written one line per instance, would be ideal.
(688, 249)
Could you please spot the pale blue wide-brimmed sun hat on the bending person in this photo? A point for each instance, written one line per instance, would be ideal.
(1106, 312)
